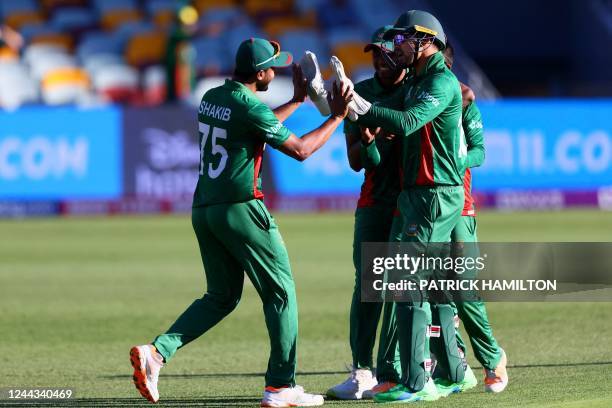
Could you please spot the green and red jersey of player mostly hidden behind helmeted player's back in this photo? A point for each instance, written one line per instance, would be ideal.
(472, 128)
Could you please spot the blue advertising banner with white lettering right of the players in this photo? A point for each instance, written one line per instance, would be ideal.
(546, 144)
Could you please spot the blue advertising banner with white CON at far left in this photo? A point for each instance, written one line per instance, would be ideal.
(65, 153)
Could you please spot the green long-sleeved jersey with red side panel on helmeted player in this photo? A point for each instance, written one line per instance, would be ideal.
(434, 149)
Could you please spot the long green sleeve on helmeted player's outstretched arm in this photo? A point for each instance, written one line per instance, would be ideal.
(435, 95)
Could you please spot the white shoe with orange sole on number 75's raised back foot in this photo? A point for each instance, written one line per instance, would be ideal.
(146, 362)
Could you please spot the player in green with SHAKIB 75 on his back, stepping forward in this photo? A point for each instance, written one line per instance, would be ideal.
(235, 231)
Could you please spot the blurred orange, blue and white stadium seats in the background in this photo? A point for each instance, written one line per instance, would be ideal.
(117, 48)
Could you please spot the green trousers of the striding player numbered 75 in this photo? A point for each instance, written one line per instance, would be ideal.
(237, 238)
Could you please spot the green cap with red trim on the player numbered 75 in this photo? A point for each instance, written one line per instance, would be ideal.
(256, 54)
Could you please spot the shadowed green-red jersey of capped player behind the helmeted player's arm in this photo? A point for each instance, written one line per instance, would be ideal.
(381, 184)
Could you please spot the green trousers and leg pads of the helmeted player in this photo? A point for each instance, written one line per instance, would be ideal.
(429, 216)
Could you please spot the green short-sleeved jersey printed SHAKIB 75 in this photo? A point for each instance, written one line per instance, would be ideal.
(234, 126)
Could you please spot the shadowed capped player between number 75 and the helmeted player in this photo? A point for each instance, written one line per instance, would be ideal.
(376, 220)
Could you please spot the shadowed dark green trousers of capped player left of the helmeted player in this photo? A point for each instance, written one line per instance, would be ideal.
(374, 224)
